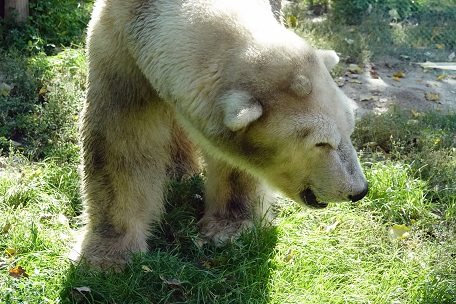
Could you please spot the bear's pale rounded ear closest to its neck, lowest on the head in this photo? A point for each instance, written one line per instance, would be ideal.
(240, 109)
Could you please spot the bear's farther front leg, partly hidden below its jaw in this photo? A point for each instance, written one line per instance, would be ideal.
(234, 199)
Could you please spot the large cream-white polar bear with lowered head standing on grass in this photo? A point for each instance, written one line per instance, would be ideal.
(168, 76)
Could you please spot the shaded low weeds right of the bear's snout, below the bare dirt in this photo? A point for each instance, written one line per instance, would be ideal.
(425, 141)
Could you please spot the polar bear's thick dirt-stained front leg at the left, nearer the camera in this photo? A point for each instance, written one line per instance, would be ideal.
(124, 171)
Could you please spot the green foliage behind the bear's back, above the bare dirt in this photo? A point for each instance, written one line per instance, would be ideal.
(361, 29)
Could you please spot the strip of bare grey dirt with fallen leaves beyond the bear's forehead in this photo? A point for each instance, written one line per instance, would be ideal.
(378, 87)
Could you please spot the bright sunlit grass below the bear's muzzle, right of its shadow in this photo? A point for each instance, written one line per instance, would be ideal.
(346, 255)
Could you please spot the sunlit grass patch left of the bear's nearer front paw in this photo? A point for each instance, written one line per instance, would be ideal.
(36, 203)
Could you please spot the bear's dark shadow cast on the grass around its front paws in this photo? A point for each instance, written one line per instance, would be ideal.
(178, 268)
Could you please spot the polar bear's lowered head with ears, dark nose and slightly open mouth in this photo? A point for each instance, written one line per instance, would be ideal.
(286, 121)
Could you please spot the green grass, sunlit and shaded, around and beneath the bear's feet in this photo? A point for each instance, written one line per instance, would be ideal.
(344, 254)
